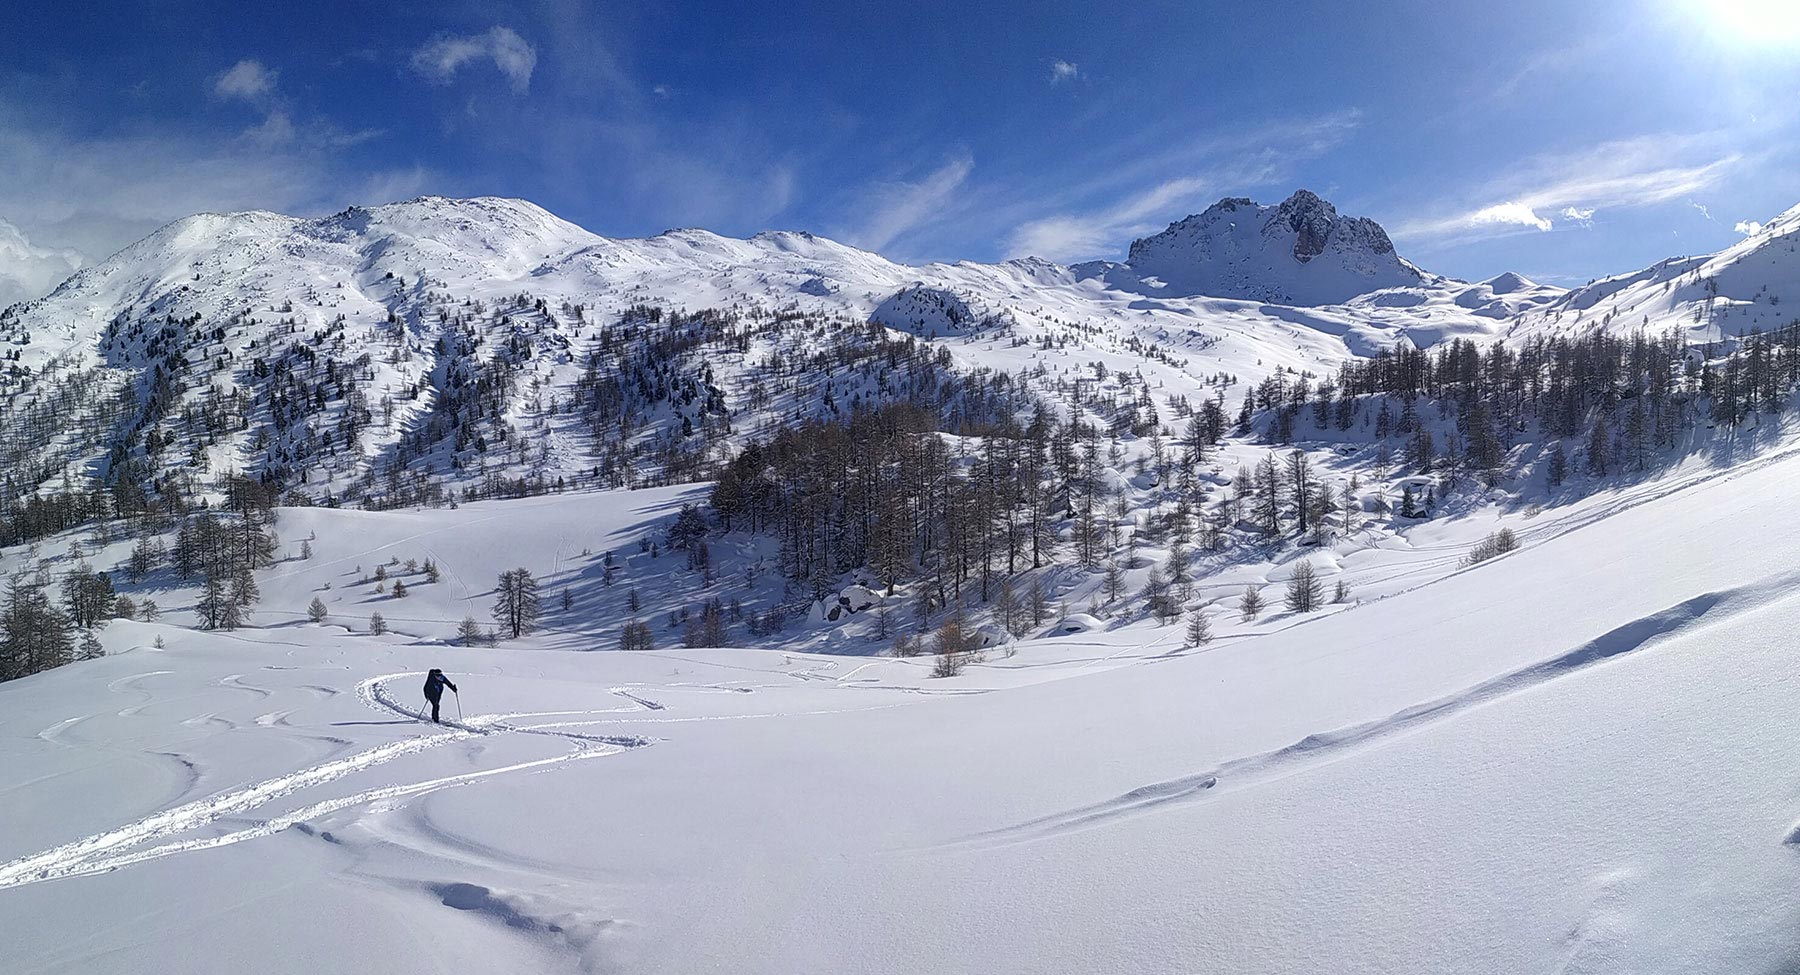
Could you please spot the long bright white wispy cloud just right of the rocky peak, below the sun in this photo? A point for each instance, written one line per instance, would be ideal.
(1612, 175)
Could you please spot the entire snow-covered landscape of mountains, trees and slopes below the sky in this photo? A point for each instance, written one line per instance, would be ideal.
(1257, 604)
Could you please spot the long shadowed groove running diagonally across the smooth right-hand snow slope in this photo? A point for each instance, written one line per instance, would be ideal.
(1630, 638)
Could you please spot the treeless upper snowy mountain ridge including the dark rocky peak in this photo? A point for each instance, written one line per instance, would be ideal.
(210, 262)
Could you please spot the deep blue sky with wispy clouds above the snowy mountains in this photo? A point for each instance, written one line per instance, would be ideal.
(1558, 139)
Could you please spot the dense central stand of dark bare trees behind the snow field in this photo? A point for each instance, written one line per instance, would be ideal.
(885, 492)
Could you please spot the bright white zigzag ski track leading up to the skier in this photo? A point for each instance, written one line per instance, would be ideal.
(107, 852)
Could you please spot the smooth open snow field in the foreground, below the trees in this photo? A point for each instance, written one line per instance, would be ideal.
(1576, 758)
